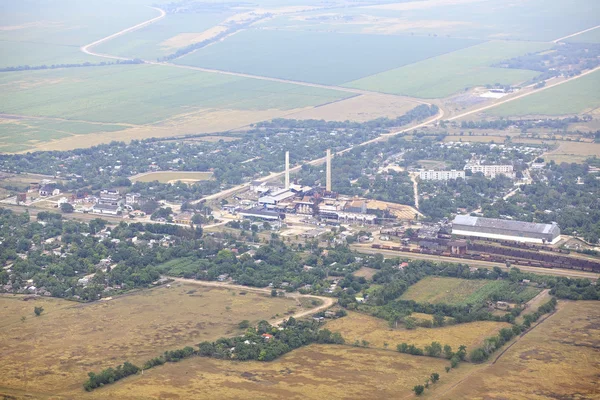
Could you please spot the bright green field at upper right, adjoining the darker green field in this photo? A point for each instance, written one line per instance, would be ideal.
(445, 75)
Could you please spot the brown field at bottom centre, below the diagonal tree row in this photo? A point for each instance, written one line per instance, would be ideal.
(313, 372)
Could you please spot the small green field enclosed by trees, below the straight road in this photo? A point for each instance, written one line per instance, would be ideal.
(455, 291)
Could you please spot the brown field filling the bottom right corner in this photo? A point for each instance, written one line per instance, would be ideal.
(559, 359)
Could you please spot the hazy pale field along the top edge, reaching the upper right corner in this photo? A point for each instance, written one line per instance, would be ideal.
(481, 19)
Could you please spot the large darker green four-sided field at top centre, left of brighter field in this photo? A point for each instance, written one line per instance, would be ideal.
(326, 58)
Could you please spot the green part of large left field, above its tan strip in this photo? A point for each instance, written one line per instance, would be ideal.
(142, 94)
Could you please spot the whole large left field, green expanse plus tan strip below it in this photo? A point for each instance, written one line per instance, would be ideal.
(183, 101)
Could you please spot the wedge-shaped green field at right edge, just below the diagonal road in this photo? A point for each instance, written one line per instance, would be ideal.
(575, 97)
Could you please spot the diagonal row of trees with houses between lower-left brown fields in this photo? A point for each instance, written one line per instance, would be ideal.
(262, 343)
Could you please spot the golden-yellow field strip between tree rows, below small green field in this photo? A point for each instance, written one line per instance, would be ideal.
(357, 326)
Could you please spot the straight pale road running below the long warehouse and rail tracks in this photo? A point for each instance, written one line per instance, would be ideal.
(475, 263)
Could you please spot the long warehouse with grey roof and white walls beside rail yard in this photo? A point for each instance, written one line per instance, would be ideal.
(517, 231)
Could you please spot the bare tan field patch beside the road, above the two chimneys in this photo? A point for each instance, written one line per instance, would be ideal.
(359, 108)
